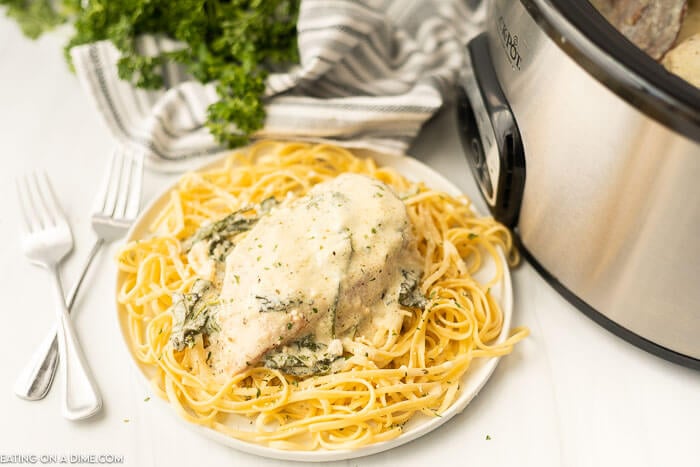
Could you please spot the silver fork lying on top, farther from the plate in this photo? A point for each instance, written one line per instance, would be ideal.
(47, 241)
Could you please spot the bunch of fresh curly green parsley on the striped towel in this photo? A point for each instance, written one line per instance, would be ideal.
(235, 43)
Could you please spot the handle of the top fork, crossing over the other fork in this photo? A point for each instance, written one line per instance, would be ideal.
(81, 398)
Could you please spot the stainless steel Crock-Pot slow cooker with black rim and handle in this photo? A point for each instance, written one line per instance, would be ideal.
(590, 151)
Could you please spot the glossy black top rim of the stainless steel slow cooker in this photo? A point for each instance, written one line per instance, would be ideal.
(585, 35)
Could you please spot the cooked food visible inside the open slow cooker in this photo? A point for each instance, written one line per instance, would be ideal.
(667, 30)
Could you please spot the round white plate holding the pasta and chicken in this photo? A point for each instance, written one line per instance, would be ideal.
(472, 382)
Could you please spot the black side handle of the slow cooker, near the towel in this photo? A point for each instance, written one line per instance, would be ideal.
(490, 135)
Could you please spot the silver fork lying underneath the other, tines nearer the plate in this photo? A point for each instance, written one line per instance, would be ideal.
(115, 210)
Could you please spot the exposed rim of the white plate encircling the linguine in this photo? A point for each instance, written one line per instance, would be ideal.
(486, 370)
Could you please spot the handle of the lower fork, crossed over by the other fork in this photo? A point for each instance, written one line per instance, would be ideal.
(37, 376)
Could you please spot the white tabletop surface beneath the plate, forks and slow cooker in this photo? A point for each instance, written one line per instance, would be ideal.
(572, 394)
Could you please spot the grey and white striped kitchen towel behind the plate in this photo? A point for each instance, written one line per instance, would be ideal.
(371, 73)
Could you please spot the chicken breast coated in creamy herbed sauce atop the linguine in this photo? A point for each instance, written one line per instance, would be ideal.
(328, 264)
